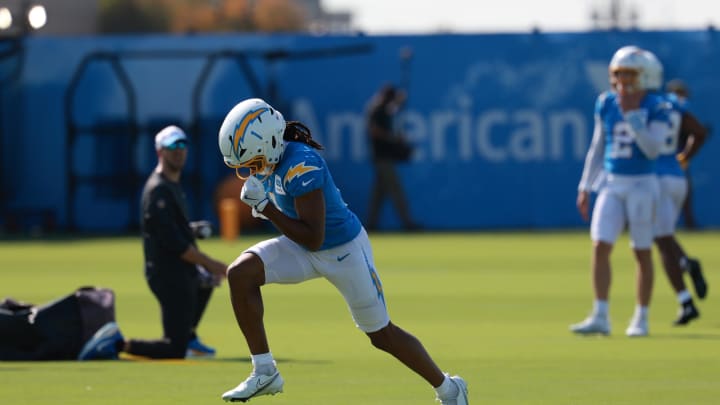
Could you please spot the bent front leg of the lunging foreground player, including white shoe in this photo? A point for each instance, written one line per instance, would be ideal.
(277, 260)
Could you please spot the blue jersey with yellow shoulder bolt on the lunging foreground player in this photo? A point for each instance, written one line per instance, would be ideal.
(301, 170)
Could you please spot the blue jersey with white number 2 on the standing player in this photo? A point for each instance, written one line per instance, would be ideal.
(622, 154)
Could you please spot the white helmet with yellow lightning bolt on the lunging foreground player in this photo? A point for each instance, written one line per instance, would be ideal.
(251, 138)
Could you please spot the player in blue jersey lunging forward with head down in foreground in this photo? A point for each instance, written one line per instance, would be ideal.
(288, 183)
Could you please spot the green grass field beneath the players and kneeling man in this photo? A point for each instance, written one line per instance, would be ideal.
(492, 307)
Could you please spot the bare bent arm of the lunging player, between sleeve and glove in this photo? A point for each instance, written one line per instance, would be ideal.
(308, 229)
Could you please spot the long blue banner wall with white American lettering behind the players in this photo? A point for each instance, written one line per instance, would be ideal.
(501, 123)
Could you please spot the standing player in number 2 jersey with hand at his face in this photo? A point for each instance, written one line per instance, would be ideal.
(630, 125)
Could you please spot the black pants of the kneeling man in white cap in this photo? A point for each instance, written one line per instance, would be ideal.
(182, 304)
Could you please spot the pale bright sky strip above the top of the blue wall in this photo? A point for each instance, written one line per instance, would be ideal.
(426, 16)
